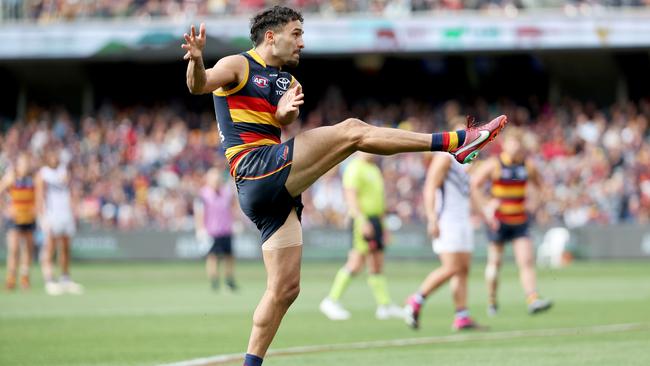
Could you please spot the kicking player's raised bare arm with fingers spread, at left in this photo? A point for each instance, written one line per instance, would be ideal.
(199, 80)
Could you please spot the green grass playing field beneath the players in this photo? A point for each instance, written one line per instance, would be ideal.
(148, 314)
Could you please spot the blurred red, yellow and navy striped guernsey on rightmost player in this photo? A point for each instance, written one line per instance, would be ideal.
(509, 187)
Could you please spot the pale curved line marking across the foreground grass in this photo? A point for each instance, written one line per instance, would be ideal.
(466, 337)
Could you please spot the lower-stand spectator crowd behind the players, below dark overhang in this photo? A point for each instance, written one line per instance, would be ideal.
(141, 166)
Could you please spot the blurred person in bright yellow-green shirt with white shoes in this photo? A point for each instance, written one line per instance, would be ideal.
(364, 192)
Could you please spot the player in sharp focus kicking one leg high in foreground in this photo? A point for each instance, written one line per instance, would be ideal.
(254, 97)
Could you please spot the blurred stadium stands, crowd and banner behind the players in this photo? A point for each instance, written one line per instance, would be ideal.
(105, 79)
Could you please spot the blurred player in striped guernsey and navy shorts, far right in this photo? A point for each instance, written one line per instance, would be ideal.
(509, 175)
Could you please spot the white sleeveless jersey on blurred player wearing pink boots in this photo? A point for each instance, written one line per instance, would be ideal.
(452, 198)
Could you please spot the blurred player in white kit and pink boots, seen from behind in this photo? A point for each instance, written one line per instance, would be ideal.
(448, 209)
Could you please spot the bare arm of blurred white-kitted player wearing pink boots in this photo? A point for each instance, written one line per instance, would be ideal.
(435, 177)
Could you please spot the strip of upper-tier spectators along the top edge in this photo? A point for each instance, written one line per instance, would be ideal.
(68, 10)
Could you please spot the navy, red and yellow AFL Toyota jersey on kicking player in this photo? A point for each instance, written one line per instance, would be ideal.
(246, 111)
